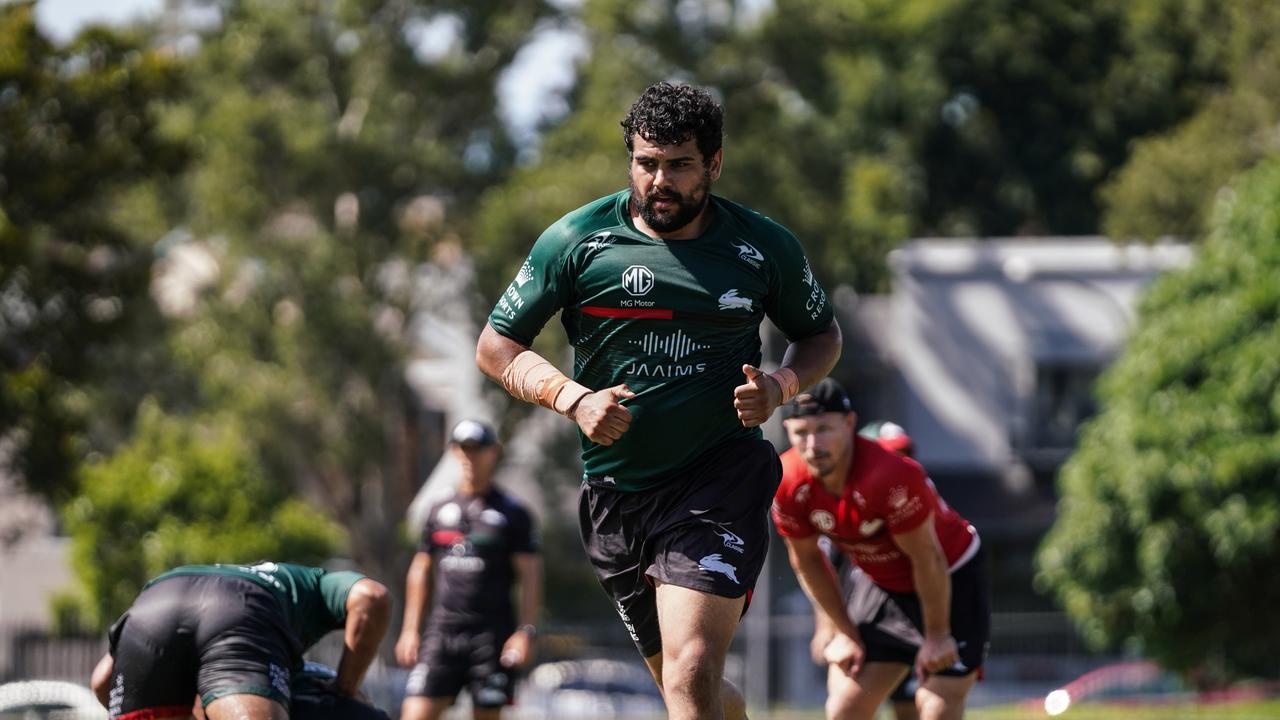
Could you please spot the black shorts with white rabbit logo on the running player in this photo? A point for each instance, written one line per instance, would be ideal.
(707, 531)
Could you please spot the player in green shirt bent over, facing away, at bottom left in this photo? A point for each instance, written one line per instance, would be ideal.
(235, 636)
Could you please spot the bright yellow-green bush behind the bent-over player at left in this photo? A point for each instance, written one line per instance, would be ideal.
(182, 491)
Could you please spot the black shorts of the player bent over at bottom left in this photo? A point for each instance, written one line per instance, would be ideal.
(213, 635)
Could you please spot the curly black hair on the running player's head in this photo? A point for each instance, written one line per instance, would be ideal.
(670, 115)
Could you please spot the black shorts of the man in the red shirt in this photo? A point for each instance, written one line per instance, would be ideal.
(893, 625)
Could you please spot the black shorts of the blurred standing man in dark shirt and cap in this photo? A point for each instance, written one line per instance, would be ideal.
(450, 660)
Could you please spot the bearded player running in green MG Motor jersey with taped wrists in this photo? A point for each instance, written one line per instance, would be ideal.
(662, 289)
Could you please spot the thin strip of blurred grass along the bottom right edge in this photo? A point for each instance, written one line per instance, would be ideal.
(1264, 710)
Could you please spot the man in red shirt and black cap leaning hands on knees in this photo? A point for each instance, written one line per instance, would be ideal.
(883, 512)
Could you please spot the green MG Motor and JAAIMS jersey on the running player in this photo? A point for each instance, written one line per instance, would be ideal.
(675, 321)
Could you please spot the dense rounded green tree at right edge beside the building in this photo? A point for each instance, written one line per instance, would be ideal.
(1169, 527)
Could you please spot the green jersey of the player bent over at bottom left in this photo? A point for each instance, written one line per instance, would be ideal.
(314, 600)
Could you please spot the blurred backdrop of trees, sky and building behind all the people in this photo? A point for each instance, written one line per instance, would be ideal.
(246, 248)
